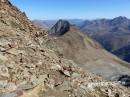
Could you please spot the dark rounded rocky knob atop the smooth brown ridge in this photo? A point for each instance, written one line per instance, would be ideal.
(60, 28)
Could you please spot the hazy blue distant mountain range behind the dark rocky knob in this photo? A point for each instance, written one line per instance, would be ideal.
(112, 34)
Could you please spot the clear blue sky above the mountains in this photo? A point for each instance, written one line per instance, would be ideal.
(73, 9)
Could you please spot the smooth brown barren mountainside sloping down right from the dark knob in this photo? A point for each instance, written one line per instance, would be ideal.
(76, 46)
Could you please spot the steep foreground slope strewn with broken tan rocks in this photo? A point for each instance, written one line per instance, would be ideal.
(29, 68)
